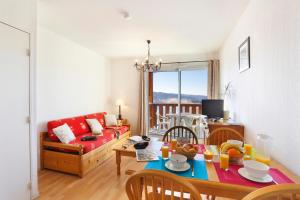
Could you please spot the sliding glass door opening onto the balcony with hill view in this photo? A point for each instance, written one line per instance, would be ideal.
(175, 95)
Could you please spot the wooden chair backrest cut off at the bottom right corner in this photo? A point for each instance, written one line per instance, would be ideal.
(278, 192)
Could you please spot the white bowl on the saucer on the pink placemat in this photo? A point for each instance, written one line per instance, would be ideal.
(256, 169)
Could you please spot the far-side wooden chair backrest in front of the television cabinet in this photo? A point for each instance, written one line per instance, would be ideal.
(220, 135)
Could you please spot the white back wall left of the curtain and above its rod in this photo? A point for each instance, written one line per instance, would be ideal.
(125, 83)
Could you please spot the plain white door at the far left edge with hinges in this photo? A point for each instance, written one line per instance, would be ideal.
(14, 110)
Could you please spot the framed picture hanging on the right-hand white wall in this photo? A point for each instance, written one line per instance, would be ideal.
(244, 55)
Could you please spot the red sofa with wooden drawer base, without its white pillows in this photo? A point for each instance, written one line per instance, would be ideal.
(79, 157)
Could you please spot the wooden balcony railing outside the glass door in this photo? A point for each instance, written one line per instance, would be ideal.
(157, 109)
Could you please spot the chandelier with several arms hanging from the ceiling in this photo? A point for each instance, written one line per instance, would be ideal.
(147, 65)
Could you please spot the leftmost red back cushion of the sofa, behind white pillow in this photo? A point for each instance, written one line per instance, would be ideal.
(78, 125)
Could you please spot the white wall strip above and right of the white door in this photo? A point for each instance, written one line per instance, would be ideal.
(22, 14)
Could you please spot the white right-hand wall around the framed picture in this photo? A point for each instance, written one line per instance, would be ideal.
(266, 97)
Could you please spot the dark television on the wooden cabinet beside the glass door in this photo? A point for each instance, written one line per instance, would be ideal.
(213, 108)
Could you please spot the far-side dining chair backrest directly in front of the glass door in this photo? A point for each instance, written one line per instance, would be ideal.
(180, 131)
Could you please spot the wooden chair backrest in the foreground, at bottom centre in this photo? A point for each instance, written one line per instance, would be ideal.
(156, 185)
